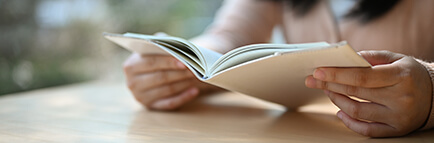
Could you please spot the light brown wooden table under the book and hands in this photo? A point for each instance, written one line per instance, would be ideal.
(106, 112)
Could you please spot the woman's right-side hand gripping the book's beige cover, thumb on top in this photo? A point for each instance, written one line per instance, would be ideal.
(397, 91)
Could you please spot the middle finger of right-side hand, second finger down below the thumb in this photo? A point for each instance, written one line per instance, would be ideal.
(377, 95)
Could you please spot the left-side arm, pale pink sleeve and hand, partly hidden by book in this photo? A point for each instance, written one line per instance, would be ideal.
(163, 83)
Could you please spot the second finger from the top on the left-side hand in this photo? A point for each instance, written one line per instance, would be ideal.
(155, 79)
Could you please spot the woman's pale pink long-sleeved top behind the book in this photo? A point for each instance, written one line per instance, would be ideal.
(408, 28)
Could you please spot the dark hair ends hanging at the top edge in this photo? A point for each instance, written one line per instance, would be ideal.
(365, 10)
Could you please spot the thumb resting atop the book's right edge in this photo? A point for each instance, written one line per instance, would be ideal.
(380, 57)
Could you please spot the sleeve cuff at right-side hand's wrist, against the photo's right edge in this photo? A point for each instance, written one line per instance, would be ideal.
(430, 121)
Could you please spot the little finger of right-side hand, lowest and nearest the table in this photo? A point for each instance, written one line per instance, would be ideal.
(371, 129)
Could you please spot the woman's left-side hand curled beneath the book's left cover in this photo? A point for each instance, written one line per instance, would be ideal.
(161, 82)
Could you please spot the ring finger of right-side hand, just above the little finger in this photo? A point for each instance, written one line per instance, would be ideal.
(360, 110)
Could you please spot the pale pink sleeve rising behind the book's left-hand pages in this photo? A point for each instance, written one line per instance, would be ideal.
(241, 22)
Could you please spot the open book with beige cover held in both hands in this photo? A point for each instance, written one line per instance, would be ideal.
(273, 72)
